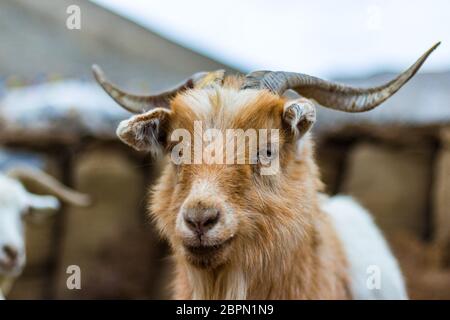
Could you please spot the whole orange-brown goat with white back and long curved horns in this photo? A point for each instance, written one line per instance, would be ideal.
(235, 232)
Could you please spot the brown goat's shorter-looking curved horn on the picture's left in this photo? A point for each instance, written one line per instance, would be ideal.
(138, 104)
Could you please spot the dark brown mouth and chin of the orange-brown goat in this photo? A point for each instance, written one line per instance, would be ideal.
(207, 255)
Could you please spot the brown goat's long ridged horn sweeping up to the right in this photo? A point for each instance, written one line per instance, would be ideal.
(330, 94)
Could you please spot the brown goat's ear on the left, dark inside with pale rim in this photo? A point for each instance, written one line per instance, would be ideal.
(147, 131)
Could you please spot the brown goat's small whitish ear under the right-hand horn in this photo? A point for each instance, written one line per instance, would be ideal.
(299, 116)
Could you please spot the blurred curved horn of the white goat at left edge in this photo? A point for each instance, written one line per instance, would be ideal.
(50, 184)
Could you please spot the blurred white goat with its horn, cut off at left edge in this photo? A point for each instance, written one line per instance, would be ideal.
(15, 203)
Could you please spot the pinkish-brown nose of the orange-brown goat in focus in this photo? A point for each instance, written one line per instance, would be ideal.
(201, 220)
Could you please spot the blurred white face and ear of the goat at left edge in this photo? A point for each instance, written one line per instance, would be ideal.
(15, 203)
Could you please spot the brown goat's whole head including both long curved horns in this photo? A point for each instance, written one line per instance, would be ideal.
(210, 203)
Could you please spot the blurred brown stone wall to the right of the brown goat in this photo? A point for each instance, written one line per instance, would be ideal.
(402, 175)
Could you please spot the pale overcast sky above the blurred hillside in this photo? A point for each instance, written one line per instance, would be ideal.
(323, 37)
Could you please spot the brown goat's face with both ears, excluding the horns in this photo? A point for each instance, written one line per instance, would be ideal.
(217, 194)
